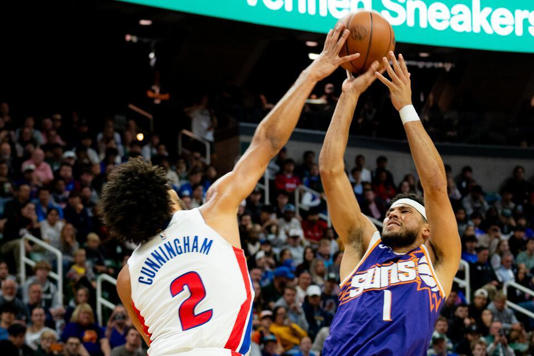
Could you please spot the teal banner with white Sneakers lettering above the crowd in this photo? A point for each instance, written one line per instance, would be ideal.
(499, 25)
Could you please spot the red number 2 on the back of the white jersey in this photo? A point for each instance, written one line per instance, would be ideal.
(186, 312)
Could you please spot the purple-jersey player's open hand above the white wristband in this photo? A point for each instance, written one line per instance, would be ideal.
(399, 85)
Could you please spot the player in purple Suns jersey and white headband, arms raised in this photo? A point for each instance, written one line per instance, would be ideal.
(393, 283)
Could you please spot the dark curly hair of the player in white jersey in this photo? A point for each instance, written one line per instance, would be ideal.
(135, 203)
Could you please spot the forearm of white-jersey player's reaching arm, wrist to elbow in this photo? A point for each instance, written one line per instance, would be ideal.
(274, 131)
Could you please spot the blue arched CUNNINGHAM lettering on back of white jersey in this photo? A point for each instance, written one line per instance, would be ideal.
(169, 250)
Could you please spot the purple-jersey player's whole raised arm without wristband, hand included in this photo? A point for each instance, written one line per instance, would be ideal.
(354, 229)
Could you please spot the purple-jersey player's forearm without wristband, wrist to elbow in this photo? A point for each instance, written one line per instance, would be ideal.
(337, 136)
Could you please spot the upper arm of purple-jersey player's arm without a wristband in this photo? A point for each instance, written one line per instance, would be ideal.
(348, 221)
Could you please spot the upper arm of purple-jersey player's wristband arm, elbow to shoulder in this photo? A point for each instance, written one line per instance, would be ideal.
(444, 235)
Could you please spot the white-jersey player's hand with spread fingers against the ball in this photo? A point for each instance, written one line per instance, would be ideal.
(329, 59)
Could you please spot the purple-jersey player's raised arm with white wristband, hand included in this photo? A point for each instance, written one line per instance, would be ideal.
(443, 229)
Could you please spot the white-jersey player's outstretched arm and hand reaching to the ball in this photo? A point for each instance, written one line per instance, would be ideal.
(275, 129)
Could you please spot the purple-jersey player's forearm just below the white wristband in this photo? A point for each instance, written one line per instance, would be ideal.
(426, 157)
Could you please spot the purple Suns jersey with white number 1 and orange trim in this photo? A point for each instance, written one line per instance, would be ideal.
(387, 306)
